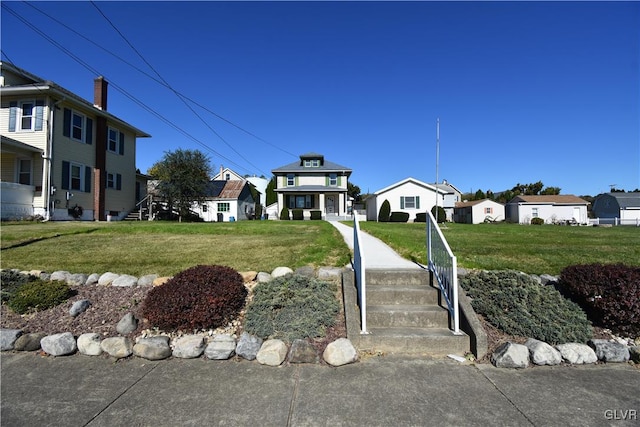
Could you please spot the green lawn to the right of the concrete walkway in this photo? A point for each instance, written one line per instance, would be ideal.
(531, 249)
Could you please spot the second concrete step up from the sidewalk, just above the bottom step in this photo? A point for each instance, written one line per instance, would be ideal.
(415, 316)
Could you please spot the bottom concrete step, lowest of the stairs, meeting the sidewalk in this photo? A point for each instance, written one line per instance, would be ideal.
(432, 341)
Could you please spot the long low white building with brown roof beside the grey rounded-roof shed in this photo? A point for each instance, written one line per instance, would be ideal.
(552, 209)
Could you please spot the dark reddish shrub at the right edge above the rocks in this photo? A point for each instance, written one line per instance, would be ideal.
(609, 293)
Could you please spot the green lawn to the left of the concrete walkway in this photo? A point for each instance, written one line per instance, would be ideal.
(166, 248)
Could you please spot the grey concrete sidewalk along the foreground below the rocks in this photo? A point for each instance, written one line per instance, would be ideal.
(82, 390)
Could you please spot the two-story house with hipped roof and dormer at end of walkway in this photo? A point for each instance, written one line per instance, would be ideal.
(313, 184)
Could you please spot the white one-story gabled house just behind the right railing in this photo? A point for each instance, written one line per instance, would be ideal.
(409, 195)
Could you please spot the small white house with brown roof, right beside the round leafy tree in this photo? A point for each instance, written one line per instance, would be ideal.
(227, 201)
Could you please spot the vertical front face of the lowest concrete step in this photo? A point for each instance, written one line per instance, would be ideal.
(433, 346)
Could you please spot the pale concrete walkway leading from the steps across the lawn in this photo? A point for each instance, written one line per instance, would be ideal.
(377, 254)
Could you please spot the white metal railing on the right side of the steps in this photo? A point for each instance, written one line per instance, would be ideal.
(444, 267)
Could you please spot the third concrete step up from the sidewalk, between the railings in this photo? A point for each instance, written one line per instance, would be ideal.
(402, 294)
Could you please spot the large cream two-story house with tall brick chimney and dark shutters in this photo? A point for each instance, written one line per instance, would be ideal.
(62, 156)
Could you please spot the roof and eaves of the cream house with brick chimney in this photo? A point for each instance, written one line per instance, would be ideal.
(40, 87)
